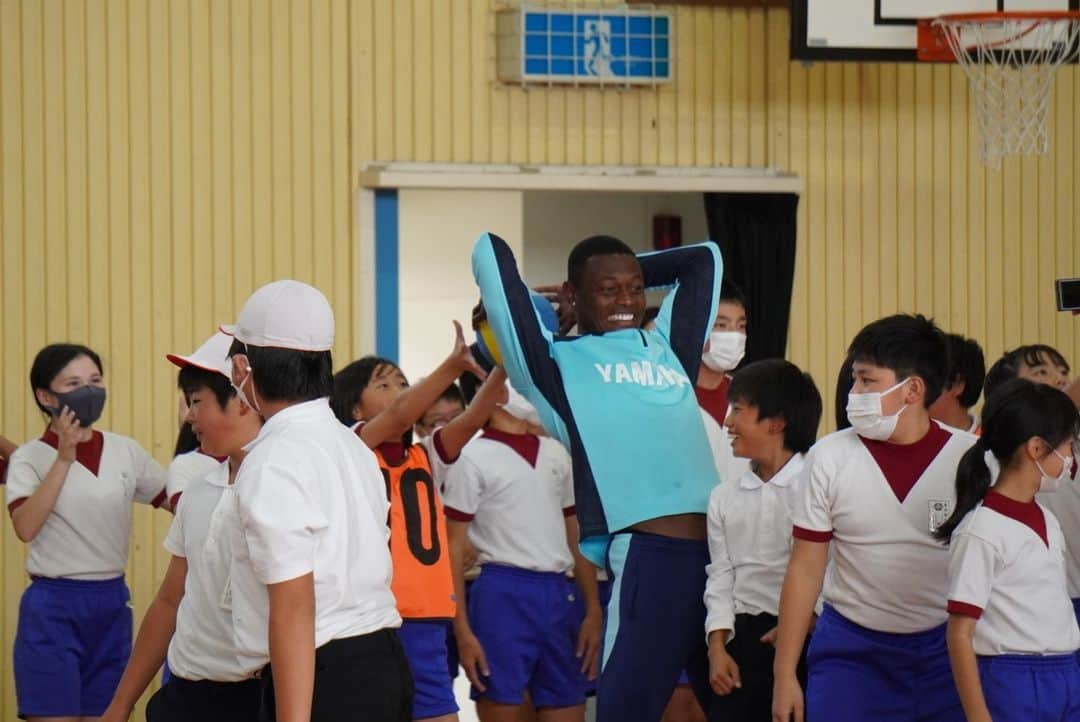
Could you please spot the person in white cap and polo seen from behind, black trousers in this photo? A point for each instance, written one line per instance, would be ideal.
(312, 603)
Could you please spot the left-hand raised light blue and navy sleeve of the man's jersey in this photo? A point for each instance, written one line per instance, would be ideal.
(525, 344)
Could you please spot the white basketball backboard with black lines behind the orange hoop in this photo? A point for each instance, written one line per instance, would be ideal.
(883, 30)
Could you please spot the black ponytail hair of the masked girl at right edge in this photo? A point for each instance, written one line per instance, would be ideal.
(1015, 414)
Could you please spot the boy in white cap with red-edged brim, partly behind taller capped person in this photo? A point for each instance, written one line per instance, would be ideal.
(207, 683)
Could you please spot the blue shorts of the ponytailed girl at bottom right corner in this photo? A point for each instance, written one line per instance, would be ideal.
(1028, 688)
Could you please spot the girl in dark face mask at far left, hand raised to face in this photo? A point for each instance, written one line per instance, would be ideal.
(70, 496)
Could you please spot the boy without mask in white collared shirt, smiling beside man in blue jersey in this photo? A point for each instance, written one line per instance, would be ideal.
(774, 421)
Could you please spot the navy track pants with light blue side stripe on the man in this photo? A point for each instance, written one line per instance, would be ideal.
(655, 628)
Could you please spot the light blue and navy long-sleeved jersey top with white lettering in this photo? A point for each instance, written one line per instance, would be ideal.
(624, 402)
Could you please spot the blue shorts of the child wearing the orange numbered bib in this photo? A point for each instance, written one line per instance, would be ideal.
(425, 643)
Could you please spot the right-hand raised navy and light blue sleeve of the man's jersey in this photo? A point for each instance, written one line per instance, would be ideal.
(687, 314)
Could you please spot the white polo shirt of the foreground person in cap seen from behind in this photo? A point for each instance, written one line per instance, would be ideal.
(312, 499)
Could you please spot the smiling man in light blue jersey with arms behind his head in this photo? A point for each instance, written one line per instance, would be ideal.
(623, 401)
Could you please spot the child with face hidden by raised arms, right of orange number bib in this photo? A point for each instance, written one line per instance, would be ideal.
(520, 631)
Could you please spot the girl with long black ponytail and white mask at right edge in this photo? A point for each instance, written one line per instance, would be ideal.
(1012, 635)
